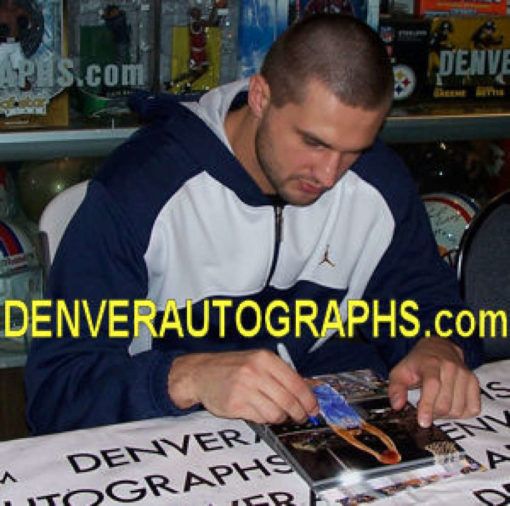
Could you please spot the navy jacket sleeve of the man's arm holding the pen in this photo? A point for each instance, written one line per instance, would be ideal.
(76, 382)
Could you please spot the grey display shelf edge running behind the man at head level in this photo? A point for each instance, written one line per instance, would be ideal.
(418, 124)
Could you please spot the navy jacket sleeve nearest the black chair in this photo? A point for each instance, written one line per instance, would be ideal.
(412, 270)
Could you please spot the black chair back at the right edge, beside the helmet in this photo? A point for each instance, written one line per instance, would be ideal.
(483, 271)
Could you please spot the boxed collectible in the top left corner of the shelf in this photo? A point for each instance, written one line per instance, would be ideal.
(33, 70)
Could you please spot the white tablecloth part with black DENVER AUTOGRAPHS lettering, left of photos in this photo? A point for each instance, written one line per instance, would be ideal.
(197, 460)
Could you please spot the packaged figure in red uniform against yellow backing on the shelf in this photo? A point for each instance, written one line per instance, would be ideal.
(198, 44)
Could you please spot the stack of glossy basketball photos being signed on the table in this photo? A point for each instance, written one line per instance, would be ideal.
(359, 437)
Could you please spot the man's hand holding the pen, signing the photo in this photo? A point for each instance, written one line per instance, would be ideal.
(254, 385)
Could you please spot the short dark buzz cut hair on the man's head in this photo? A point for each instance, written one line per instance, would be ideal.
(339, 51)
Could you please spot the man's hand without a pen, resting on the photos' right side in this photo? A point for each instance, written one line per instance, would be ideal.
(448, 388)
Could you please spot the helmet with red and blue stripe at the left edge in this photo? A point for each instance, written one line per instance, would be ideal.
(20, 272)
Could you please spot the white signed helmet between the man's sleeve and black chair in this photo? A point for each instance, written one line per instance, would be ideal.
(449, 215)
